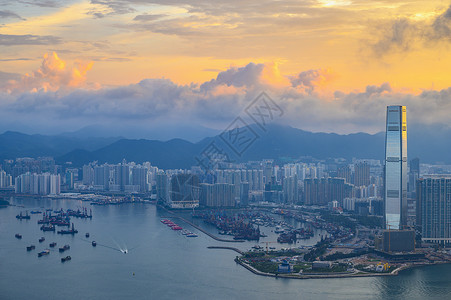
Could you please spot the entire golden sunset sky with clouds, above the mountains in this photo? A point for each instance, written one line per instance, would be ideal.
(331, 66)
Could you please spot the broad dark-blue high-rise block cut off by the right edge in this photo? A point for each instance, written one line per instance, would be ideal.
(434, 208)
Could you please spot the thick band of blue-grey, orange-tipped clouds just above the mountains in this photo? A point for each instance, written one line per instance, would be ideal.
(56, 96)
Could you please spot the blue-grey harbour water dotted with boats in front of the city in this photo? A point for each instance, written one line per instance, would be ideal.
(163, 264)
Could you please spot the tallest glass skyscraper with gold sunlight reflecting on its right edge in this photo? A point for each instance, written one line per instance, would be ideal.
(395, 181)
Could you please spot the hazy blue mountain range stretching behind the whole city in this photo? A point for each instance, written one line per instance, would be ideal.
(282, 143)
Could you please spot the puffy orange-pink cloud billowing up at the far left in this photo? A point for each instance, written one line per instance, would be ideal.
(52, 75)
